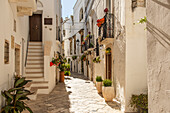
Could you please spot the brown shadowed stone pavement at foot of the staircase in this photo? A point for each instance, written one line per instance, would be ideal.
(56, 102)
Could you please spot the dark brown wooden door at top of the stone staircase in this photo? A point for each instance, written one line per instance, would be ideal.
(36, 28)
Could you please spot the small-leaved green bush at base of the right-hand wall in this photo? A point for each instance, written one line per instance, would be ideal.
(140, 102)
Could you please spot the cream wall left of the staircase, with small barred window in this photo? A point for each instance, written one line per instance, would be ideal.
(7, 17)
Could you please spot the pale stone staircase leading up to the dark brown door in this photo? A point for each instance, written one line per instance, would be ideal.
(35, 70)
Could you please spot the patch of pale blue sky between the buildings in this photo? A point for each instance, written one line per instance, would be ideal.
(67, 7)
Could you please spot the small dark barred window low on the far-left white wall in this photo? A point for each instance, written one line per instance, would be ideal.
(6, 52)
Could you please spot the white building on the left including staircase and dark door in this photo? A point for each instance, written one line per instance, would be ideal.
(27, 47)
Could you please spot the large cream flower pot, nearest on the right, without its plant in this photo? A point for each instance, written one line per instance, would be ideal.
(108, 93)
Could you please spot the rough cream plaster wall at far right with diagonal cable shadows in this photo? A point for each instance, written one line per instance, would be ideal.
(158, 44)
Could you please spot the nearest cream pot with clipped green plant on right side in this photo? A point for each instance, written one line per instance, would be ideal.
(108, 90)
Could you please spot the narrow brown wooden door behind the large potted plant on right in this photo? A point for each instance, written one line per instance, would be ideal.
(109, 66)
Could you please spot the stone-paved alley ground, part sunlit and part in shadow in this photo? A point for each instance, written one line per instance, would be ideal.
(76, 95)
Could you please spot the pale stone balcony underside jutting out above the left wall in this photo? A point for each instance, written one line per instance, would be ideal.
(24, 7)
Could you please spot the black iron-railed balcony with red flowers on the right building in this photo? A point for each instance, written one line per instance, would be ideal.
(106, 30)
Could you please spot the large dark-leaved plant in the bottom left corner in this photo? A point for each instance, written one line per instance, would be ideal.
(15, 97)
